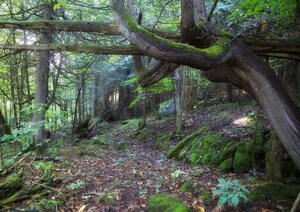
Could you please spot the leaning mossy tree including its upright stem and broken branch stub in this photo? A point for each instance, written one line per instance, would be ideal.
(222, 58)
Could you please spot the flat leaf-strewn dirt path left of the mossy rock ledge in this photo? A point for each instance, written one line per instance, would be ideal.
(123, 180)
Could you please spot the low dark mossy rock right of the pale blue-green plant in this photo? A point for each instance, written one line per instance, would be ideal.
(274, 191)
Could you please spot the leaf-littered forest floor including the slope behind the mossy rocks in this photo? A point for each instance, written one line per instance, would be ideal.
(110, 178)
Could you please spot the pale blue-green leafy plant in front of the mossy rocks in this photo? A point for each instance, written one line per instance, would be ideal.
(230, 192)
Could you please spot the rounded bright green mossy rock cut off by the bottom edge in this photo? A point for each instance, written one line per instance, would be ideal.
(166, 203)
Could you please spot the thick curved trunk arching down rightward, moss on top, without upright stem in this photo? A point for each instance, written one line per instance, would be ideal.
(226, 61)
